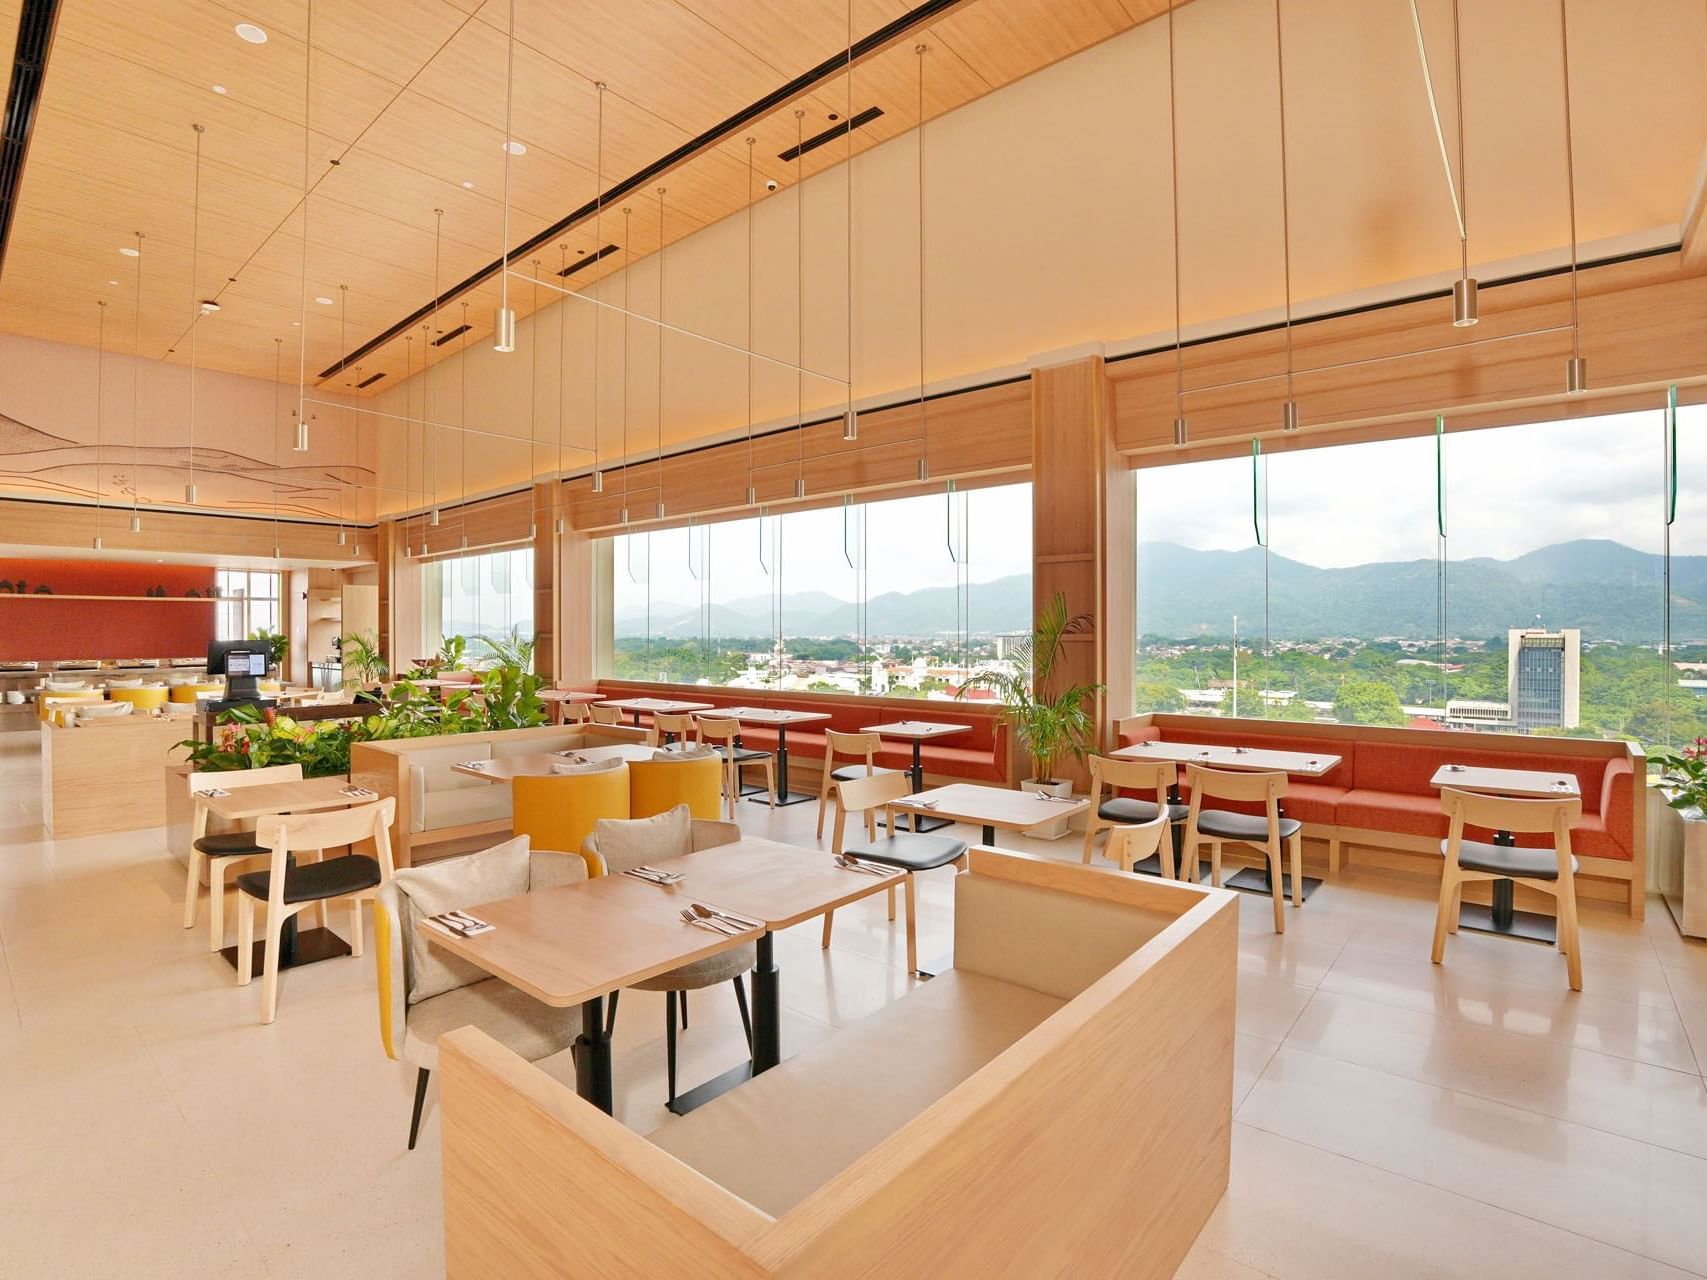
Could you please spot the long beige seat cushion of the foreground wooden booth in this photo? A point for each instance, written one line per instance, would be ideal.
(783, 1136)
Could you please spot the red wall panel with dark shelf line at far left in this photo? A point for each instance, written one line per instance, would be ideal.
(38, 625)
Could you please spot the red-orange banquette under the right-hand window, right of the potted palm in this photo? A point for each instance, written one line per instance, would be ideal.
(1380, 798)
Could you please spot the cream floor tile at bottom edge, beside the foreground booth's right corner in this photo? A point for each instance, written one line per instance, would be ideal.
(1298, 1213)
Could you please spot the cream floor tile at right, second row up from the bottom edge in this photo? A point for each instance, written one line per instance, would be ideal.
(1614, 1190)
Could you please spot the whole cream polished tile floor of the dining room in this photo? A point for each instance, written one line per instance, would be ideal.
(1392, 1119)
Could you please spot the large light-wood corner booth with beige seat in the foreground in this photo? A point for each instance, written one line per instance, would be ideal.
(1054, 1103)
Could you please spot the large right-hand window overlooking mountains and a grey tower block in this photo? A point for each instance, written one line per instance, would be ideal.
(1547, 578)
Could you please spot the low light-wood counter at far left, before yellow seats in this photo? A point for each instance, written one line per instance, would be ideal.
(105, 776)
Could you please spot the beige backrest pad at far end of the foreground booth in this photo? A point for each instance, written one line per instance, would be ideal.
(1051, 941)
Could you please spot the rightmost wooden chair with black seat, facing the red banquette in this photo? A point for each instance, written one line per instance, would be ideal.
(1547, 870)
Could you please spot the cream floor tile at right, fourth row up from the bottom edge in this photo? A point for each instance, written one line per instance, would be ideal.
(1588, 1021)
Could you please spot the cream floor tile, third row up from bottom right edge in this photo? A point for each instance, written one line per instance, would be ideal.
(1648, 1103)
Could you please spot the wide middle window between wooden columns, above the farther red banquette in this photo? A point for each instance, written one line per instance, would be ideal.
(899, 598)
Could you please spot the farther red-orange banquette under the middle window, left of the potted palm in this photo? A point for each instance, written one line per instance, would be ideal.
(979, 755)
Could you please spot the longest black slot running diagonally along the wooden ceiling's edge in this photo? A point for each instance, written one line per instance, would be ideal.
(919, 16)
